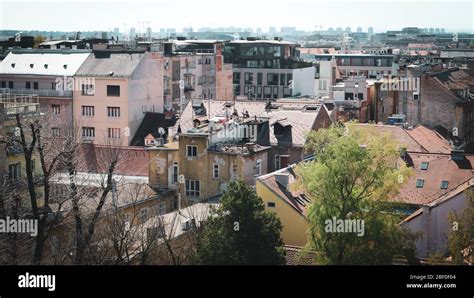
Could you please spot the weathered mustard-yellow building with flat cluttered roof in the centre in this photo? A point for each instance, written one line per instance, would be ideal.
(200, 162)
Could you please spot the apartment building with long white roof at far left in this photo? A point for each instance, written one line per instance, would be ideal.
(48, 74)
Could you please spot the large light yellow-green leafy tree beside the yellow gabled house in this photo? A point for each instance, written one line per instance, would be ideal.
(356, 172)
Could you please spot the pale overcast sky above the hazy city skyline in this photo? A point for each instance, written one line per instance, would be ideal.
(100, 15)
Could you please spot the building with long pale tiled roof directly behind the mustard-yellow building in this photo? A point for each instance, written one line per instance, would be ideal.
(290, 121)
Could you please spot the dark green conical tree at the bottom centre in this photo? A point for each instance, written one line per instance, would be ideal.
(240, 232)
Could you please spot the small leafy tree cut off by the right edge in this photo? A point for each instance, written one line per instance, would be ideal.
(461, 236)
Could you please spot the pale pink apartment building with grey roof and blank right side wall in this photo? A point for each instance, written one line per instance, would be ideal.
(126, 85)
